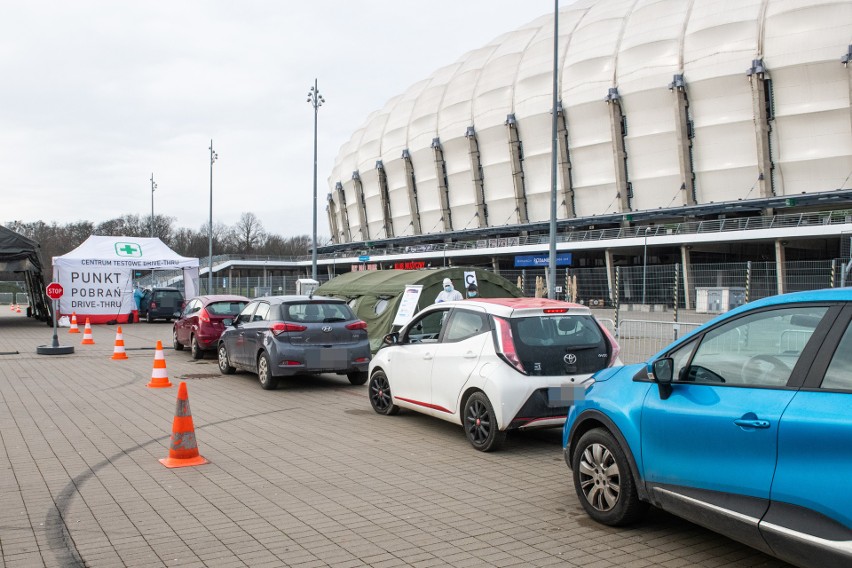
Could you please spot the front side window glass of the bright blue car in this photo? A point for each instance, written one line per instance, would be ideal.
(759, 349)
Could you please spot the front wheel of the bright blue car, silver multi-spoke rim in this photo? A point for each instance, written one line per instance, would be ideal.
(603, 480)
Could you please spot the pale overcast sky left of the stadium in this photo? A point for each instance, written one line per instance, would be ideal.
(98, 95)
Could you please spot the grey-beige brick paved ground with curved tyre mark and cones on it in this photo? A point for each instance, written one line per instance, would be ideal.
(303, 476)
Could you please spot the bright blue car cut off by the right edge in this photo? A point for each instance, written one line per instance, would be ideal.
(744, 426)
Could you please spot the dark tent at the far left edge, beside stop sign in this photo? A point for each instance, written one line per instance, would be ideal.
(20, 255)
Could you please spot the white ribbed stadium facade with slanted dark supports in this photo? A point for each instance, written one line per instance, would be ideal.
(687, 132)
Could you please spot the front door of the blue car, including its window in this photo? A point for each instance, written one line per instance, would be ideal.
(718, 430)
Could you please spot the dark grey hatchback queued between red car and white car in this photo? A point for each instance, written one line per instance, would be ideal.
(282, 336)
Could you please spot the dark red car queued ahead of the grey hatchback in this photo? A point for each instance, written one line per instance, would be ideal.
(203, 320)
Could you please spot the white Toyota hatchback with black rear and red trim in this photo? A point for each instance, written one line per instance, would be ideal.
(491, 364)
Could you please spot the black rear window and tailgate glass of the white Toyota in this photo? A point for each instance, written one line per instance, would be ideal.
(560, 344)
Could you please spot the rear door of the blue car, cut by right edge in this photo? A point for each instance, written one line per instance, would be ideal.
(810, 517)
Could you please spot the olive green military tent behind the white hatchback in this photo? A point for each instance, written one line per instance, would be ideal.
(375, 295)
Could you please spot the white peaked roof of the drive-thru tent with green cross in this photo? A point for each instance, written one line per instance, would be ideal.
(134, 252)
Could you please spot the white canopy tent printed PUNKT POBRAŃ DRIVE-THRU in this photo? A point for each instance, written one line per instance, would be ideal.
(97, 276)
